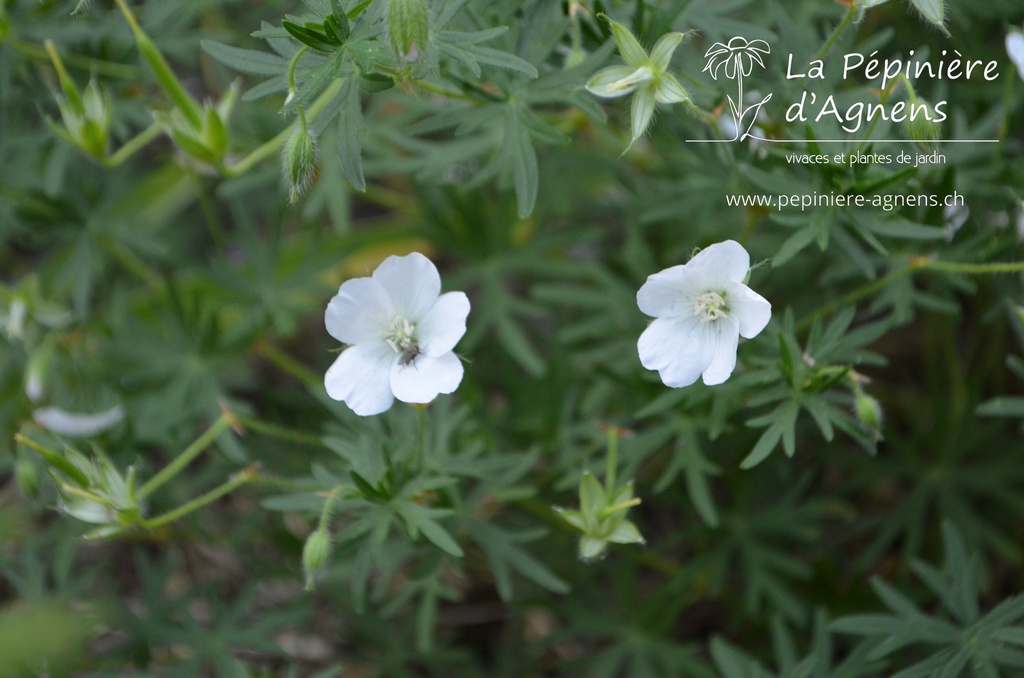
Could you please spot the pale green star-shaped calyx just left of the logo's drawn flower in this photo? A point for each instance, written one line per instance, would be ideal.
(647, 77)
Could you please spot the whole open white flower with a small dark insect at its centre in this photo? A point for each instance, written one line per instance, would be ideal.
(402, 331)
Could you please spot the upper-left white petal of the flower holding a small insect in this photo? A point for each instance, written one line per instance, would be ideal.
(360, 312)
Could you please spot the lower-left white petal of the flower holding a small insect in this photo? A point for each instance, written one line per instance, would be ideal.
(360, 377)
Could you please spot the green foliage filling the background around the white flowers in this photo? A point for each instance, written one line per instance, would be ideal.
(875, 529)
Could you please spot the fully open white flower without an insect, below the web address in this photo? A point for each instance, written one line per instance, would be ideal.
(702, 310)
